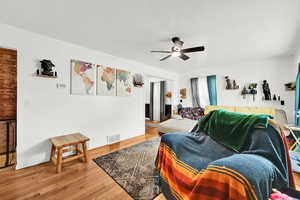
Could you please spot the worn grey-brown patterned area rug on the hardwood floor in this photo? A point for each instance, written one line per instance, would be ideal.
(133, 169)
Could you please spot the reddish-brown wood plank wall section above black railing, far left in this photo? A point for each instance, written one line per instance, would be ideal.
(8, 84)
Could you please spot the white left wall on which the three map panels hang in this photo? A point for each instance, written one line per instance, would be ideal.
(44, 111)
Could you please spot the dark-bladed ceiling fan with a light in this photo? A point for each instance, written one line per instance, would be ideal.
(177, 51)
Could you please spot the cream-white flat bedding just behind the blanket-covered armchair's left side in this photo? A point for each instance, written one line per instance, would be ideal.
(177, 125)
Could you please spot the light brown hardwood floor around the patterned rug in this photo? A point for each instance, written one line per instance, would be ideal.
(76, 181)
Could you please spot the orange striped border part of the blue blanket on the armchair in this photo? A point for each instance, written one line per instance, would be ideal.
(211, 183)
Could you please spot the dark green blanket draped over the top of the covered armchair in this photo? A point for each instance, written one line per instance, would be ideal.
(231, 128)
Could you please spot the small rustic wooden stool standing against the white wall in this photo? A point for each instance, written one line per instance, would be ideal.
(60, 142)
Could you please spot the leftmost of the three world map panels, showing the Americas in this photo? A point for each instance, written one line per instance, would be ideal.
(82, 78)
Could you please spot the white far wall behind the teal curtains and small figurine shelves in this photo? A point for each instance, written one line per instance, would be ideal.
(276, 71)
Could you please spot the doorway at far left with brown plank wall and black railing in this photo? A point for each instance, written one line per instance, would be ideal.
(8, 105)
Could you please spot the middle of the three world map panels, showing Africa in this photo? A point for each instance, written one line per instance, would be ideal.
(106, 81)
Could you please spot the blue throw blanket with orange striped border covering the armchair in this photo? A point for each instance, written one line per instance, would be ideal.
(194, 166)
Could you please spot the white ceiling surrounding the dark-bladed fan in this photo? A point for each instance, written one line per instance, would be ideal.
(231, 30)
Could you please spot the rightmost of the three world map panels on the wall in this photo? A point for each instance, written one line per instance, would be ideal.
(124, 83)
